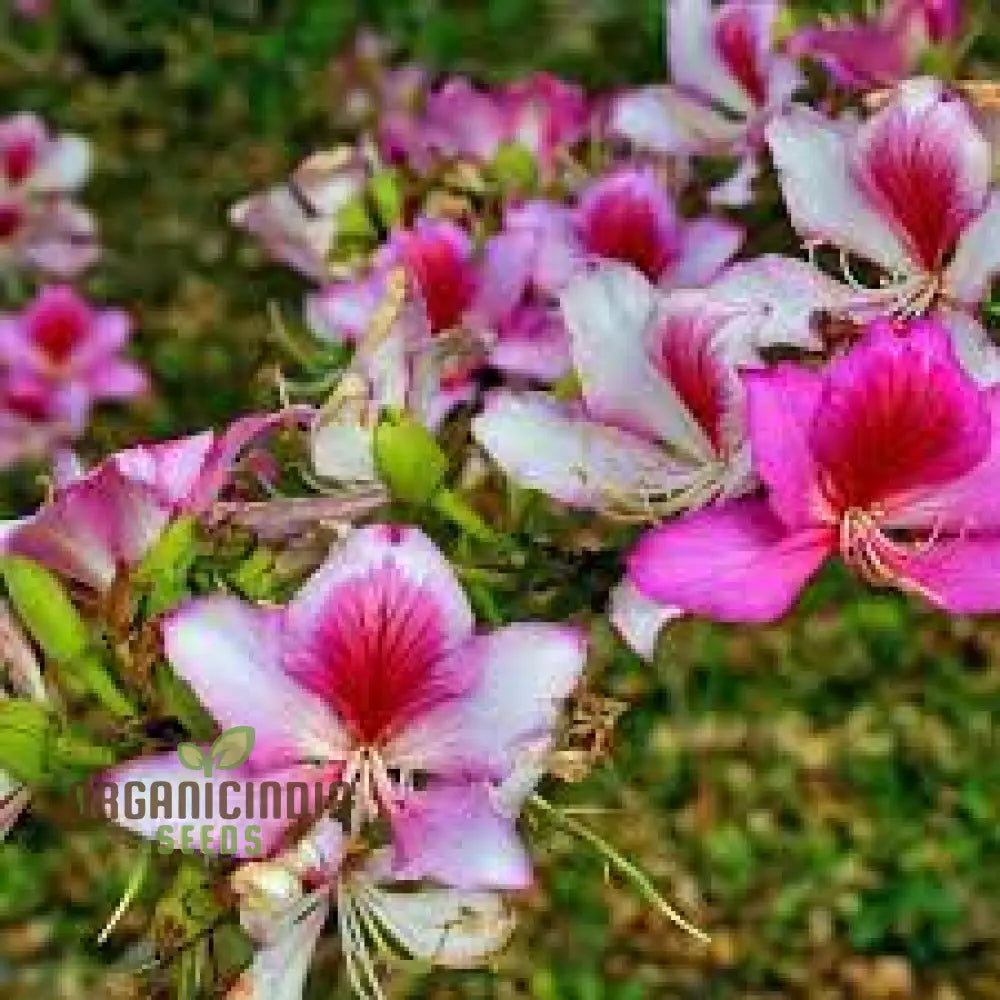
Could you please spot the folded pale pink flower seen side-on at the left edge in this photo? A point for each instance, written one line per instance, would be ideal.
(108, 519)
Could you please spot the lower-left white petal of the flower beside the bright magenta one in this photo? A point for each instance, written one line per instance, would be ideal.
(580, 462)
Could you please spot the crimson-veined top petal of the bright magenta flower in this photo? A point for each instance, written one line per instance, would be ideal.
(897, 414)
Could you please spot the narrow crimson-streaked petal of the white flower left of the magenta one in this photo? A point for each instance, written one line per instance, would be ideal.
(685, 356)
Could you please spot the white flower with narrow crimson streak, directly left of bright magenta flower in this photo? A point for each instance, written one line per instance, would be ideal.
(659, 427)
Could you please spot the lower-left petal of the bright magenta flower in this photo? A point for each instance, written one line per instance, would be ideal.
(736, 562)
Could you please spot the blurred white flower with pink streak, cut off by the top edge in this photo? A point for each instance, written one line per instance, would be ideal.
(728, 83)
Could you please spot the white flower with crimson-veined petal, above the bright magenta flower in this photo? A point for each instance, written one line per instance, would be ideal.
(908, 190)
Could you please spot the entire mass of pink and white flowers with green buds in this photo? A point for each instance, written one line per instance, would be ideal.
(533, 329)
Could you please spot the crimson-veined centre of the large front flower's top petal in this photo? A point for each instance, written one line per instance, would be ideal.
(376, 654)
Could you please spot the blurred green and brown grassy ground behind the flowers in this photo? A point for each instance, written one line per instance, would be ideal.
(823, 797)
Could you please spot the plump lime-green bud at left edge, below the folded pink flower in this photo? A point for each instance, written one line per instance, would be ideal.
(45, 608)
